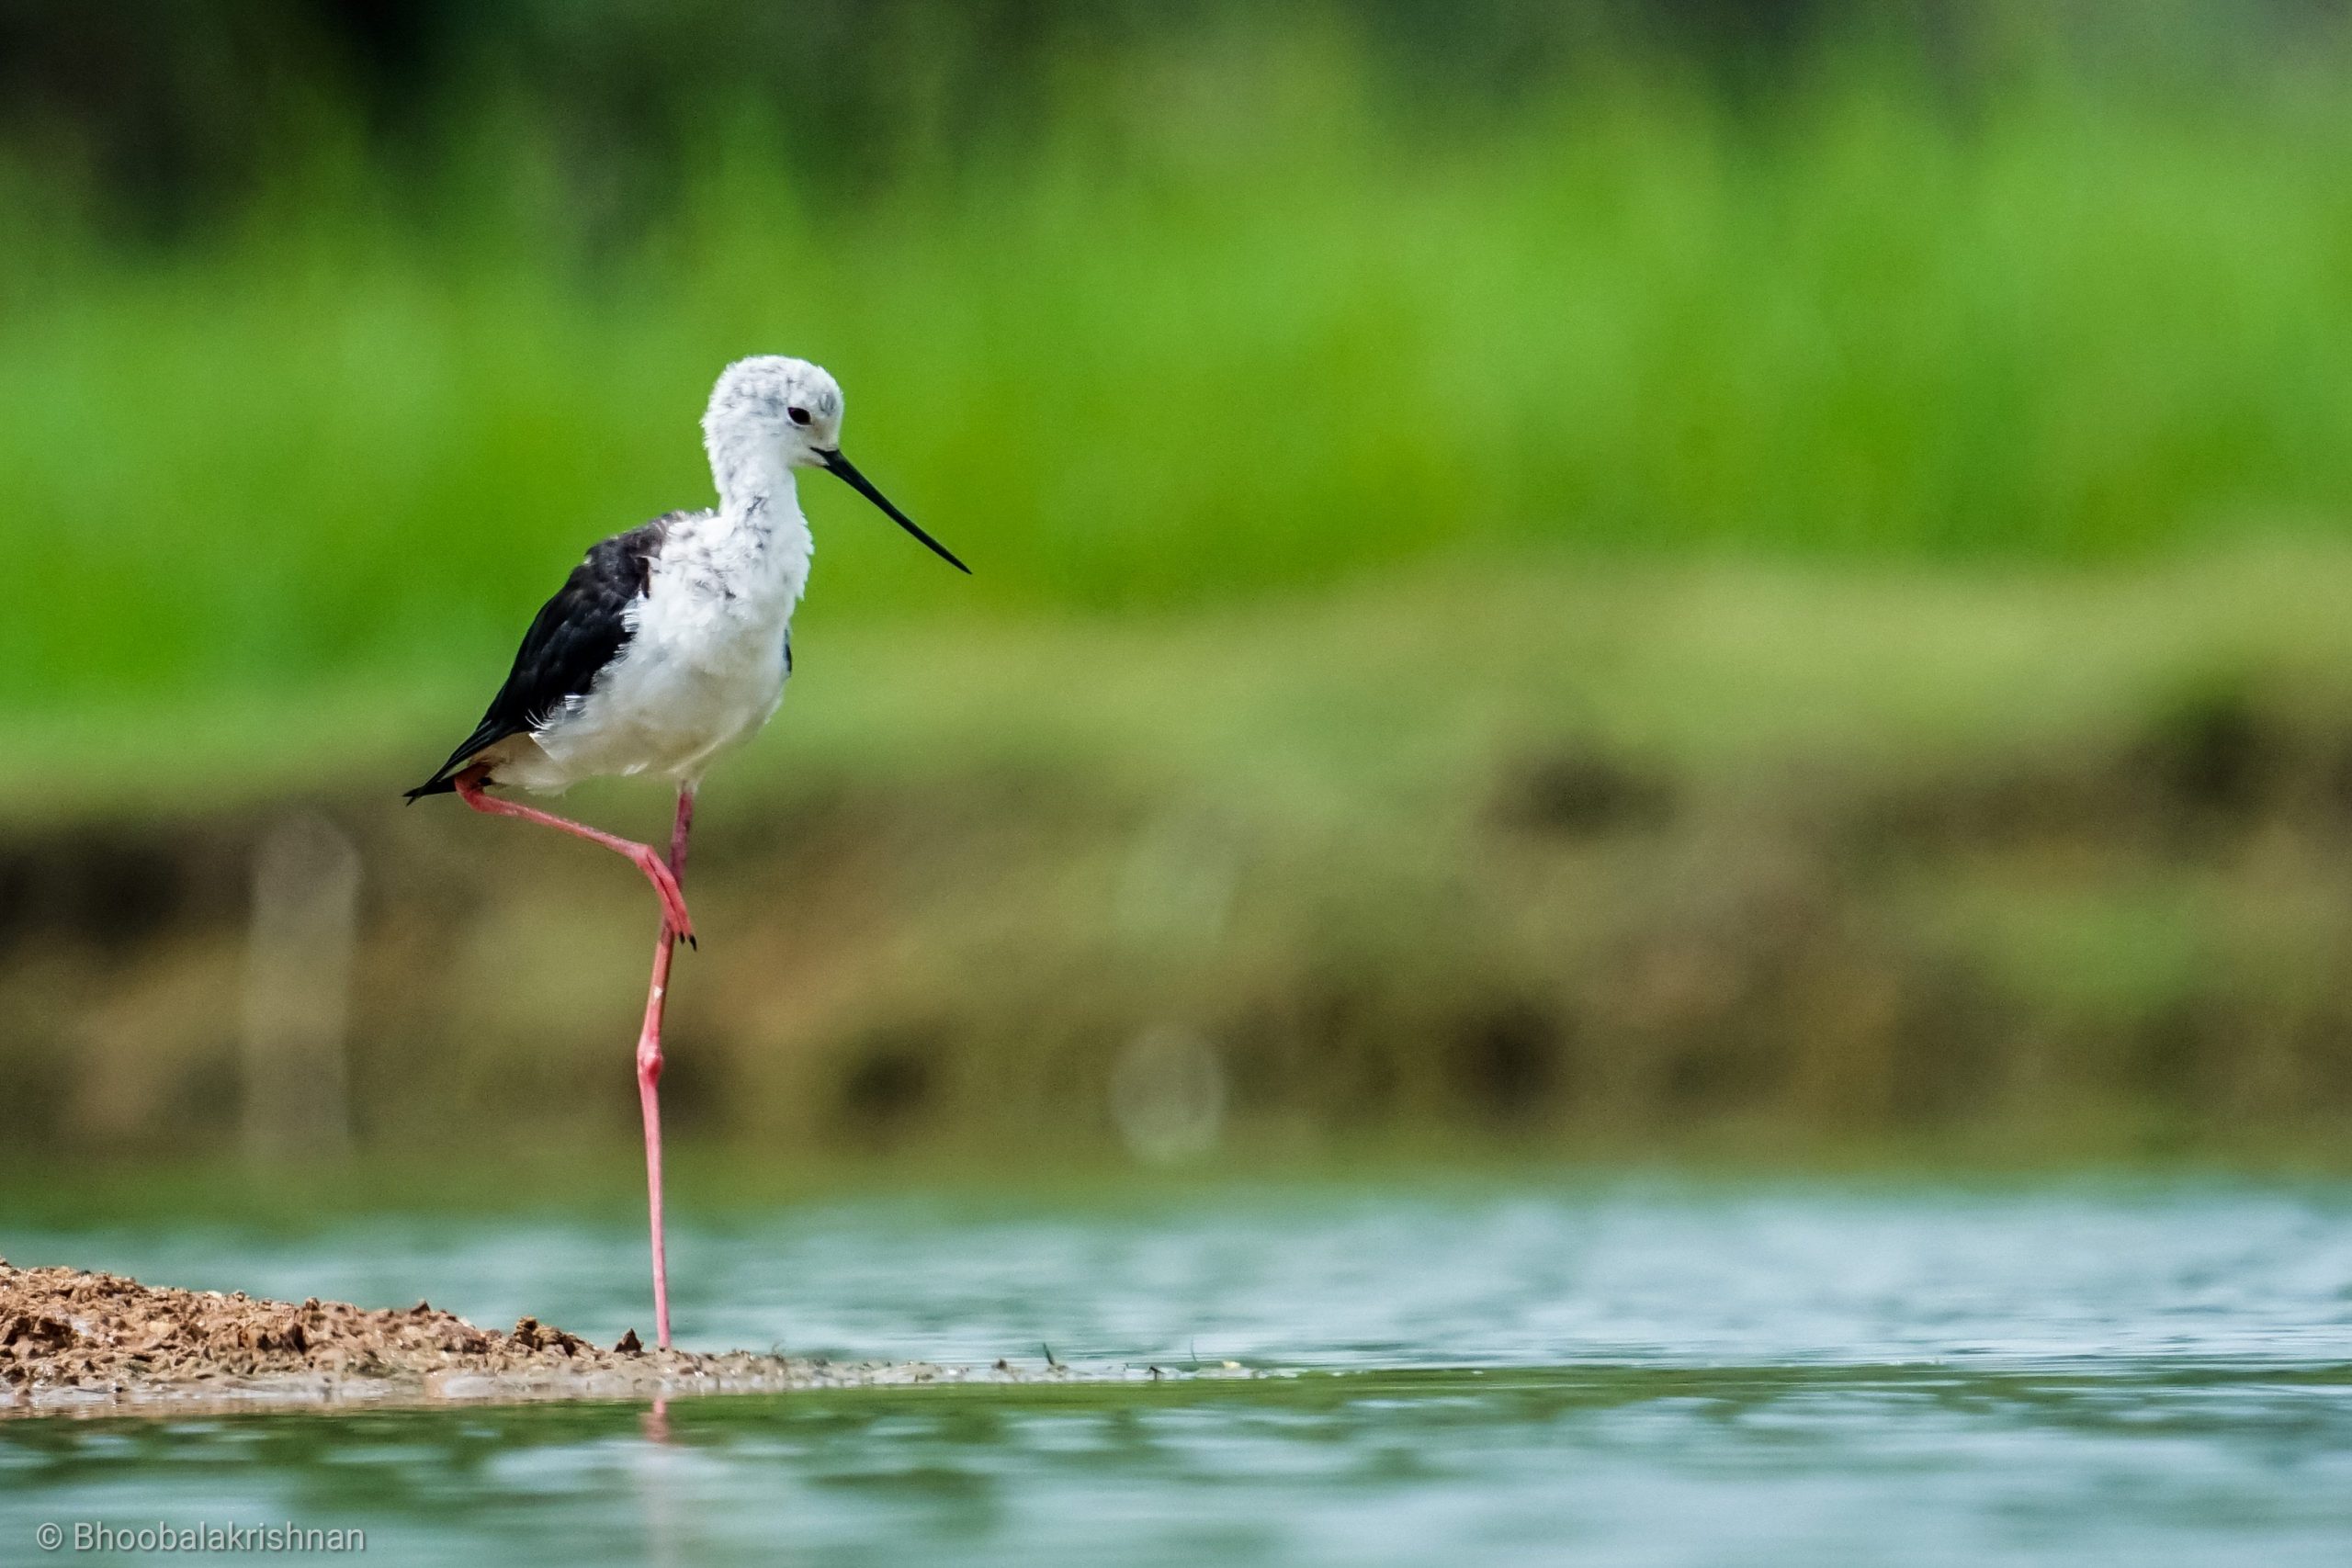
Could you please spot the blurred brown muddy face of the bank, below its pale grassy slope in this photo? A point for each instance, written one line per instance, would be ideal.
(2127, 944)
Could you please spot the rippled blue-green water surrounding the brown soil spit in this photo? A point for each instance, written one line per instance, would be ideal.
(1633, 1374)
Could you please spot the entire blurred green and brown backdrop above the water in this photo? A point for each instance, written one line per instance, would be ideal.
(1704, 579)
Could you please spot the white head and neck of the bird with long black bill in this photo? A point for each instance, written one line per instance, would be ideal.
(775, 413)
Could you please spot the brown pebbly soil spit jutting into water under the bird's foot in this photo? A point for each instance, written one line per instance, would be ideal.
(74, 1341)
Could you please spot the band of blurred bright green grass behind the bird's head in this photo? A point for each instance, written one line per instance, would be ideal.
(1227, 330)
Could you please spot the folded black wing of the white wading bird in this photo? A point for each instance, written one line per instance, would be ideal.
(570, 643)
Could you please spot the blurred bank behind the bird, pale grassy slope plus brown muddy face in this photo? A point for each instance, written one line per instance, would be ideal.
(1565, 866)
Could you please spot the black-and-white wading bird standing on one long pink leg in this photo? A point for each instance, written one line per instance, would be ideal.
(667, 648)
